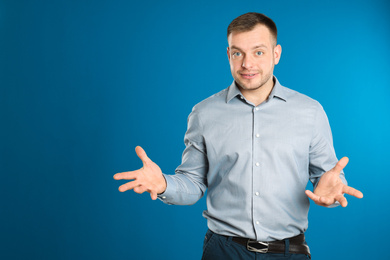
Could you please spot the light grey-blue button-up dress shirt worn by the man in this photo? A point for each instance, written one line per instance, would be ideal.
(255, 162)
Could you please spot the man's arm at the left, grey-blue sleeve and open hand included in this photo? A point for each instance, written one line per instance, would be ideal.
(188, 184)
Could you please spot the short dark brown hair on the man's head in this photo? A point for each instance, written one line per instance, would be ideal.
(248, 21)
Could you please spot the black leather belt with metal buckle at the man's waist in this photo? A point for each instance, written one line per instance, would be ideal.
(297, 245)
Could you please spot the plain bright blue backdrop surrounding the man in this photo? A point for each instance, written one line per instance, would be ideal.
(84, 82)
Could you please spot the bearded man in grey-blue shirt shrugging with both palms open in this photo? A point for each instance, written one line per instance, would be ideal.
(254, 146)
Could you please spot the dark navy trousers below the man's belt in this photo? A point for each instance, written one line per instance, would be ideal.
(217, 247)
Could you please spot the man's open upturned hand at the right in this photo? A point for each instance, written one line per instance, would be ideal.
(330, 188)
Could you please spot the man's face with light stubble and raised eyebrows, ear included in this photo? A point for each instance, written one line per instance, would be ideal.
(252, 57)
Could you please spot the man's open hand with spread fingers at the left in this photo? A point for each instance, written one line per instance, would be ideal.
(149, 178)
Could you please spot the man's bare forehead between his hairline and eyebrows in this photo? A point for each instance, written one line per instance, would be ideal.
(259, 35)
